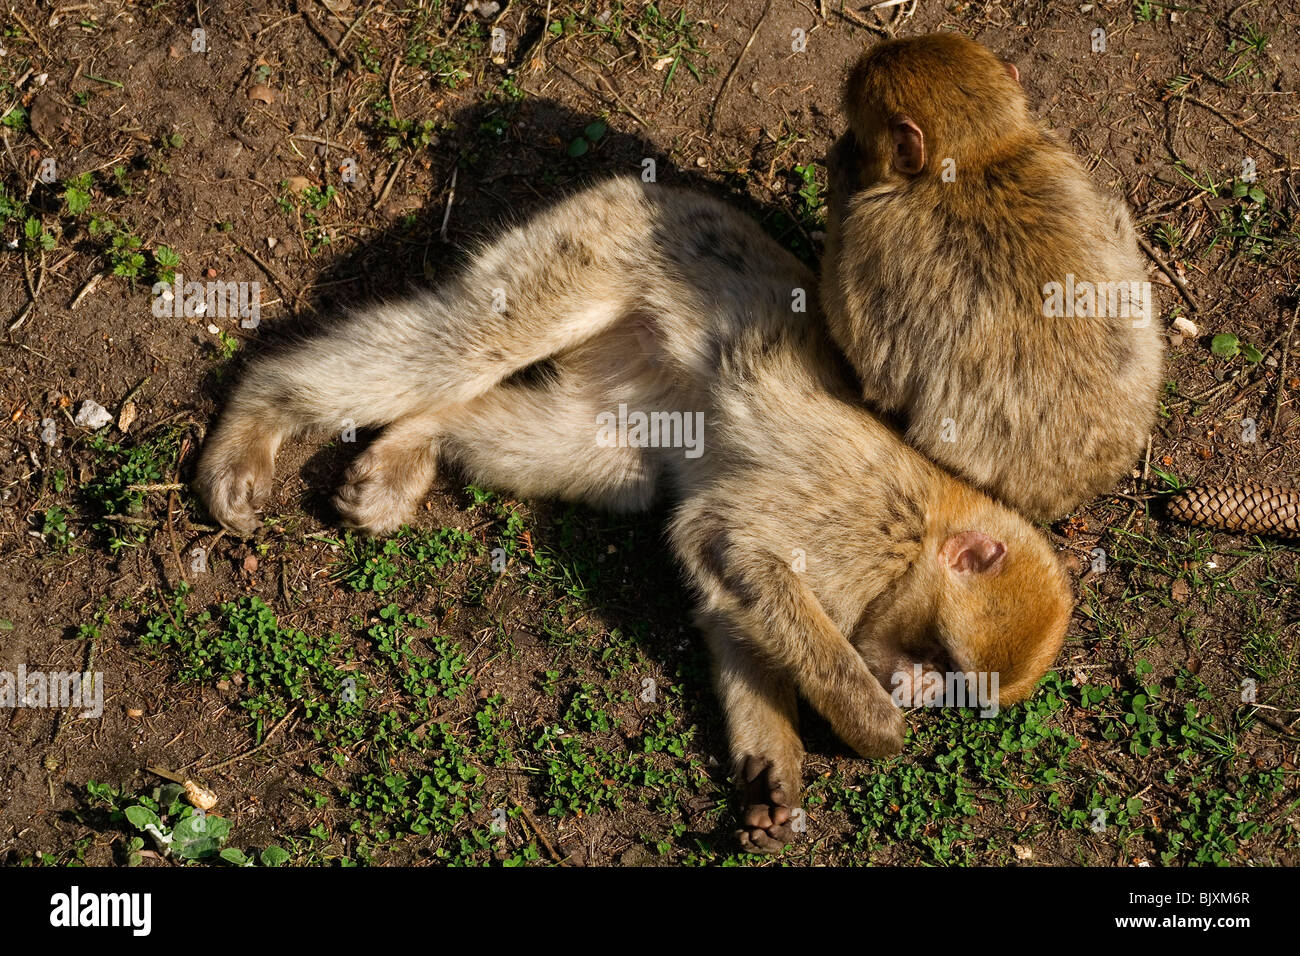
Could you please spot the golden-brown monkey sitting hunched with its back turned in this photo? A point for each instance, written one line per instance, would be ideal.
(980, 283)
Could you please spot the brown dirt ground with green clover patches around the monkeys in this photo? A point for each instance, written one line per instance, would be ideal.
(1168, 734)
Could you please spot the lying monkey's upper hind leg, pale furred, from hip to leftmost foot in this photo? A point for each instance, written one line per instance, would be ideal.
(554, 284)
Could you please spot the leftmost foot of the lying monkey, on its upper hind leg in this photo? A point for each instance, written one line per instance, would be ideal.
(235, 478)
